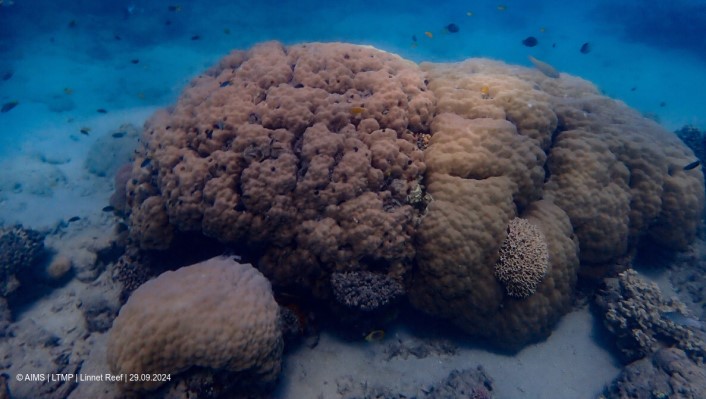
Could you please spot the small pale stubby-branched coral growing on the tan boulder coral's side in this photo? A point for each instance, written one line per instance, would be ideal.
(524, 259)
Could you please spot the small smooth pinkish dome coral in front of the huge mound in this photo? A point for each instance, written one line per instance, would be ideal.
(218, 315)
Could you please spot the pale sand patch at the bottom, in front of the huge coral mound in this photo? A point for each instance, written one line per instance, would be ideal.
(570, 365)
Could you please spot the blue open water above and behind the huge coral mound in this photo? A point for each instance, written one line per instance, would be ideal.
(649, 56)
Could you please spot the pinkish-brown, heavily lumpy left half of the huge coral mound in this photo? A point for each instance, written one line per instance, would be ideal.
(308, 151)
